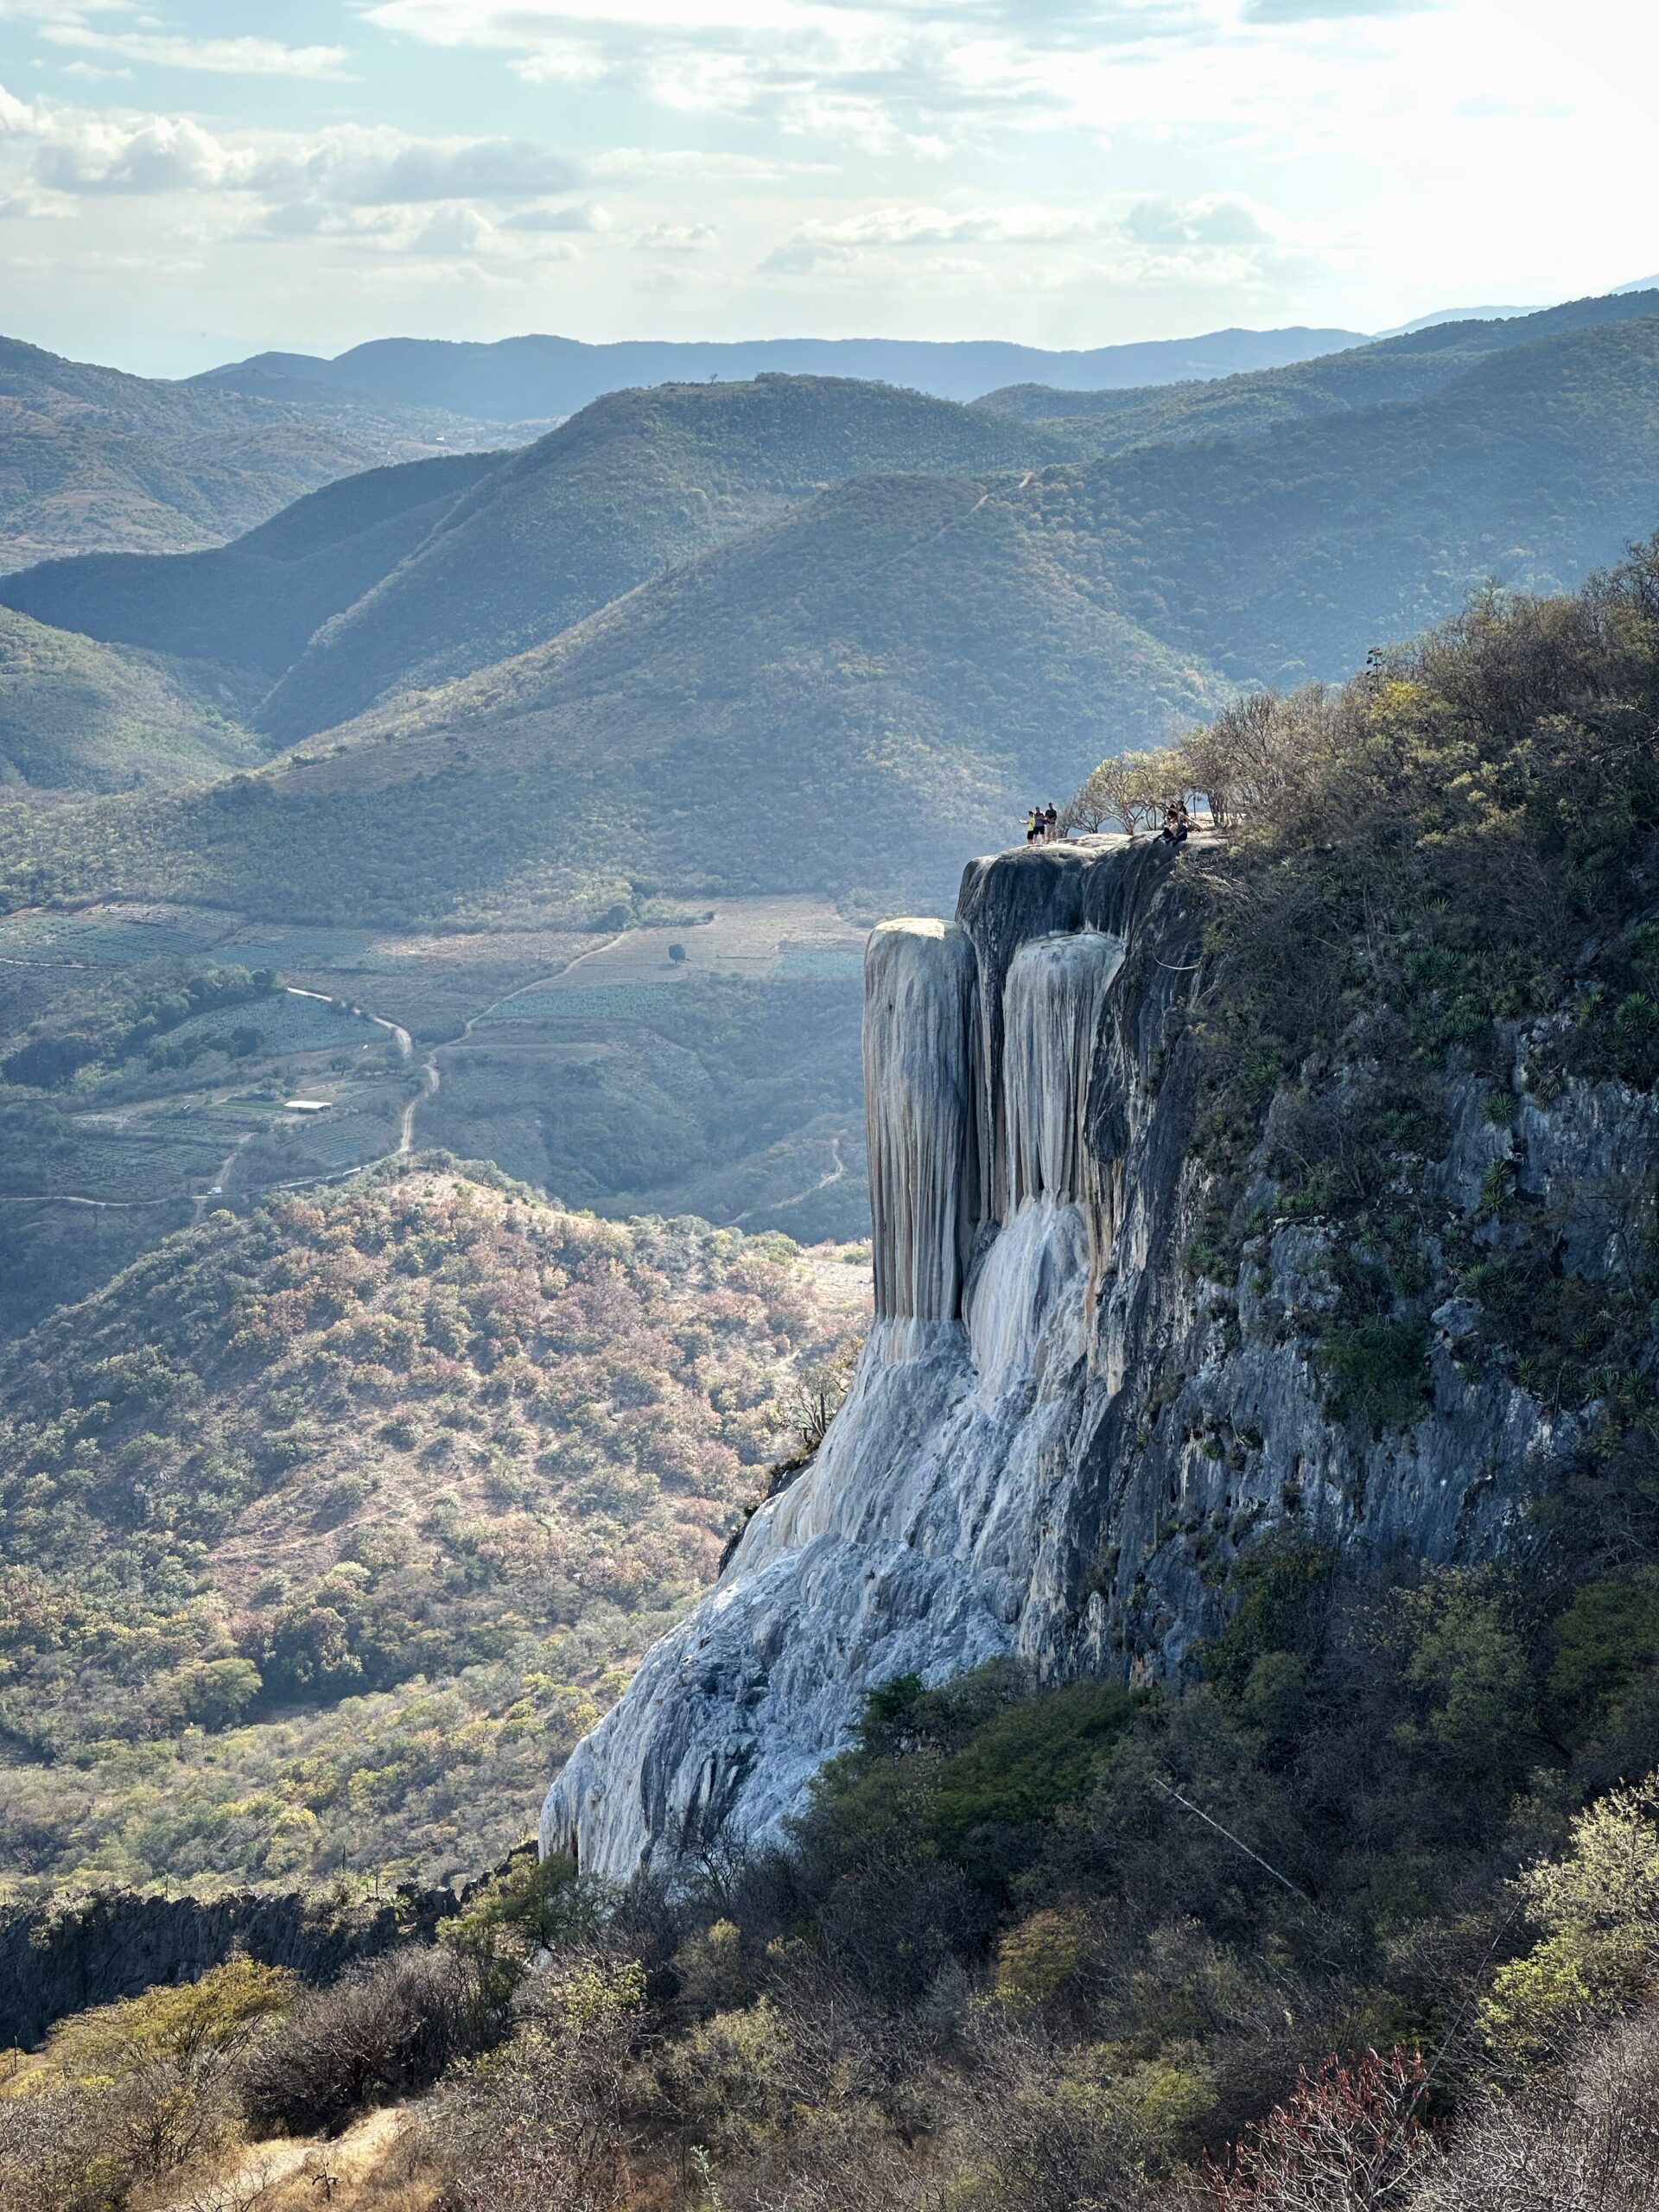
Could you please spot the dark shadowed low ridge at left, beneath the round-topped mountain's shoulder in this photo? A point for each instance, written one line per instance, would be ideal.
(258, 601)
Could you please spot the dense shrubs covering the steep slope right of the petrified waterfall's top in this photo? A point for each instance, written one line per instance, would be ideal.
(1450, 855)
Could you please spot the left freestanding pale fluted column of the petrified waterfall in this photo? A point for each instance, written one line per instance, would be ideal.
(919, 1112)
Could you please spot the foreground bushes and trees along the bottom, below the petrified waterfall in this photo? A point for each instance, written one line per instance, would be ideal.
(1339, 1923)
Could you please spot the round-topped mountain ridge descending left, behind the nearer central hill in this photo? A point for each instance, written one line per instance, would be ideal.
(421, 574)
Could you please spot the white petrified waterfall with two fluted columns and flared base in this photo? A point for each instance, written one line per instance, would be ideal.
(928, 1534)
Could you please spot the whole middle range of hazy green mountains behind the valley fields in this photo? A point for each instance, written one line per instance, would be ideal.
(678, 614)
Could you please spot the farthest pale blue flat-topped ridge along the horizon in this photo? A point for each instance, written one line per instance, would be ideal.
(547, 377)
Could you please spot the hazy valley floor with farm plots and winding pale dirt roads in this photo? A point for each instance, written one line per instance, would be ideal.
(603, 1070)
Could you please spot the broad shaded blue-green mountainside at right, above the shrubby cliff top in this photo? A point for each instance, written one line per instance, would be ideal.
(1293, 554)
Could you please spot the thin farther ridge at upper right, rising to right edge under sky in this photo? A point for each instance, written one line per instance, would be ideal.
(1404, 368)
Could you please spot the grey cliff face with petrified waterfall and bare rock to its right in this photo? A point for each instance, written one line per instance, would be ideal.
(1061, 1437)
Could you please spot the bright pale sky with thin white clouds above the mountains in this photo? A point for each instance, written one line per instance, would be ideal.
(194, 182)
